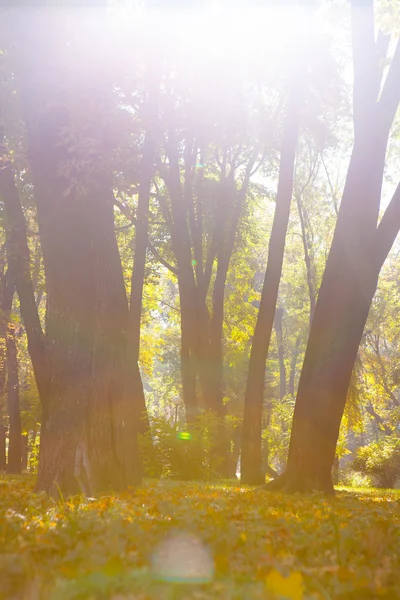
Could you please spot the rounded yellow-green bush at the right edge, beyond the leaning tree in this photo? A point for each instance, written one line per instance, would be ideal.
(380, 460)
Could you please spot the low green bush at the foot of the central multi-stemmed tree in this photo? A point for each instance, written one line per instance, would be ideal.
(185, 452)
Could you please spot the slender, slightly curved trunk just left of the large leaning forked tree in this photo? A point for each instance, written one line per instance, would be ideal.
(251, 461)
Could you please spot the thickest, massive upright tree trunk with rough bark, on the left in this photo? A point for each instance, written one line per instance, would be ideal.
(89, 425)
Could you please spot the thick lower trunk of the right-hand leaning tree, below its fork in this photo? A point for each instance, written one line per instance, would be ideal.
(335, 336)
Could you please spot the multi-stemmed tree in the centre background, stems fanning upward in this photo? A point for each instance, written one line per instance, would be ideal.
(210, 155)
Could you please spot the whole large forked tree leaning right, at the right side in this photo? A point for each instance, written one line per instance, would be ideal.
(359, 248)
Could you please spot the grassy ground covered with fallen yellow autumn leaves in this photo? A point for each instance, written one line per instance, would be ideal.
(182, 540)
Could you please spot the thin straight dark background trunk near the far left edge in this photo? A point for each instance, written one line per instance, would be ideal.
(12, 393)
